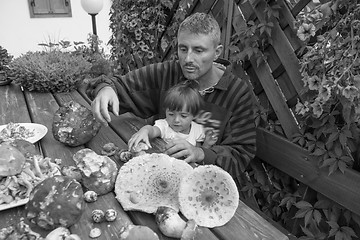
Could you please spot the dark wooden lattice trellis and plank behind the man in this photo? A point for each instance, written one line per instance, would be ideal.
(277, 86)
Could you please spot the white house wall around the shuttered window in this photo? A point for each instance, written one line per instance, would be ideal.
(19, 33)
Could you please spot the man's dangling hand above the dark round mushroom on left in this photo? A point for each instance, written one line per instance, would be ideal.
(105, 98)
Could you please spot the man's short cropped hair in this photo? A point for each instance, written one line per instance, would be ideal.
(202, 23)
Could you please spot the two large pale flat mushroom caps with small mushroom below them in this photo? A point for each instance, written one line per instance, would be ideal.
(181, 197)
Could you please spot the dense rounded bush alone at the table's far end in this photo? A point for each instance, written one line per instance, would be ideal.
(53, 71)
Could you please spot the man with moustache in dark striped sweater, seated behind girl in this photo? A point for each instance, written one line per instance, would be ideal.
(228, 107)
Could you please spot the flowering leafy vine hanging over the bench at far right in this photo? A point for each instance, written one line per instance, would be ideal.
(330, 67)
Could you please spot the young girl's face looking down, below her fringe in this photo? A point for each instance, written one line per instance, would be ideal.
(179, 121)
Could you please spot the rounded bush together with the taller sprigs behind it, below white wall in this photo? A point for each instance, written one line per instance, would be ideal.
(61, 66)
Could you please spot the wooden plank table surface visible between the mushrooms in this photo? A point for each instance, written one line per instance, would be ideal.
(22, 106)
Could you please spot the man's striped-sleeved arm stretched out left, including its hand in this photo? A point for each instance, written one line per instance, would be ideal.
(138, 91)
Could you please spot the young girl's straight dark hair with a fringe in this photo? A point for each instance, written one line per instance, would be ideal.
(184, 94)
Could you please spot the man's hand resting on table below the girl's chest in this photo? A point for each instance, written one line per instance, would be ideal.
(182, 149)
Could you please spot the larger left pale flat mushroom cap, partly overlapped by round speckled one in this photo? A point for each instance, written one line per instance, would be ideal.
(151, 180)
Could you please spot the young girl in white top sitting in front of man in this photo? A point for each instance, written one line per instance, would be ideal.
(182, 103)
